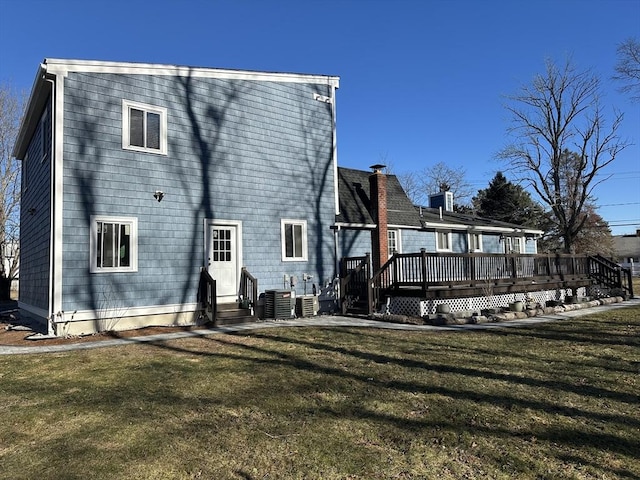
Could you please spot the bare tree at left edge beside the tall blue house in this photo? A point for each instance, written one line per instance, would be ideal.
(11, 108)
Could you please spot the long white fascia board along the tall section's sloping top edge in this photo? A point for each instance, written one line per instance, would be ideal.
(63, 67)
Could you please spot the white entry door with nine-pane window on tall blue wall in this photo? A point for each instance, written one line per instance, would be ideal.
(223, 259)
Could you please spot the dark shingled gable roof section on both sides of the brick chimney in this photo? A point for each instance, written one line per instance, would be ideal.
(355, 201)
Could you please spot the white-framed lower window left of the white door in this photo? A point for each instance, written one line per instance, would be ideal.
(113, 244)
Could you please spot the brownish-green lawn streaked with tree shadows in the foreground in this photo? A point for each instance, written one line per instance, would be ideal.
(556, 400)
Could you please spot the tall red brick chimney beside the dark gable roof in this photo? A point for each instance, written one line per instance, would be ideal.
(379, 237)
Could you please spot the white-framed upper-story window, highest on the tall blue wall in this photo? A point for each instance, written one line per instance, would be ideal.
(144, 127)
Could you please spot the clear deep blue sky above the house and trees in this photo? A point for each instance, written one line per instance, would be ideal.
(422, 82)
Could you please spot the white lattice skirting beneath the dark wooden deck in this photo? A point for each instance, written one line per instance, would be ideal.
(419, 307)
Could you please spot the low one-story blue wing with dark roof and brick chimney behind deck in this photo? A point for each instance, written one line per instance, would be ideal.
(409, 228)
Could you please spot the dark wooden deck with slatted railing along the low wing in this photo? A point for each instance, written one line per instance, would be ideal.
(450, 275)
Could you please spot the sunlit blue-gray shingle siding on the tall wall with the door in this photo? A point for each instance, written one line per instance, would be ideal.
(249, 151)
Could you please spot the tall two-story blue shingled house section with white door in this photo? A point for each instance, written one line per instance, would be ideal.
(137, 176)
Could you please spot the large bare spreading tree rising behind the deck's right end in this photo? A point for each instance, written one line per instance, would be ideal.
(562, 143)
